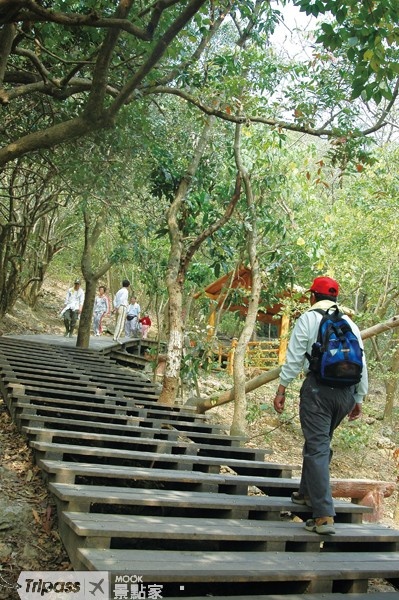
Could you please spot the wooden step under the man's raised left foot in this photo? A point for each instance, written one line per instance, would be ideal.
(161, 502)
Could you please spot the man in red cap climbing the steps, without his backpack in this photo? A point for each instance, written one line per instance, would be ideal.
(321, 409)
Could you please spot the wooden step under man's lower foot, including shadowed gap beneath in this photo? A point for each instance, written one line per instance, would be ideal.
(82, 530)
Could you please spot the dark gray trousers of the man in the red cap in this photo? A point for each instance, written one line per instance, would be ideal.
(321, 410)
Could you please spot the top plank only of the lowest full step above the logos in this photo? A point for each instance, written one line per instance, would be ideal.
(191, 566)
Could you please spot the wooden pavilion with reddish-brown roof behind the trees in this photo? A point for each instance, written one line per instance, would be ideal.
(263, 353)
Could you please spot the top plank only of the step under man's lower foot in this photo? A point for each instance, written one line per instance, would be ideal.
(233, 530)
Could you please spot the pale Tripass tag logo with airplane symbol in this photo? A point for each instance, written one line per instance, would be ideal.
(63, 585)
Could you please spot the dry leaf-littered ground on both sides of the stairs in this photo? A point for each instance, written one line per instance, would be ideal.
(29, 539)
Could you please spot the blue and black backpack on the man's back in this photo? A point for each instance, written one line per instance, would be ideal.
(336, 357)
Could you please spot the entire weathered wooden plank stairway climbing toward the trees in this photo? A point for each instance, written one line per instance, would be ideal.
(159, 492)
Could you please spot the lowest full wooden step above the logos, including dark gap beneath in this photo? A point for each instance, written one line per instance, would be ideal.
(296, 571)
